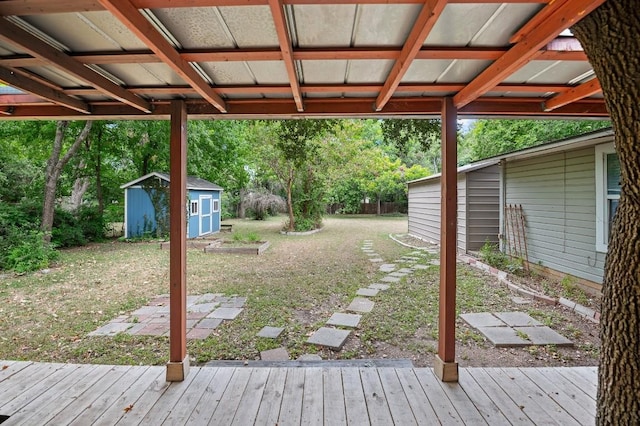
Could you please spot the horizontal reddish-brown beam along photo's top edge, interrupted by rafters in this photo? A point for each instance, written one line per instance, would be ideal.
(20, 7)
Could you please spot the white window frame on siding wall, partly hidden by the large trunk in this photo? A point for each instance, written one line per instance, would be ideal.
(602, 205)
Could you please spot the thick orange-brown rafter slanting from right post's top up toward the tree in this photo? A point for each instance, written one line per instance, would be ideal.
(526, 49)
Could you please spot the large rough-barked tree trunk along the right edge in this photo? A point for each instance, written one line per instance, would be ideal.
(611, 38)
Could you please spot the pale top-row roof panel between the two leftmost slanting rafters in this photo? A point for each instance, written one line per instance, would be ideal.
(88, 31)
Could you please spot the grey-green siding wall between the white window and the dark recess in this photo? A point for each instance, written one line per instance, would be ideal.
(557, 194)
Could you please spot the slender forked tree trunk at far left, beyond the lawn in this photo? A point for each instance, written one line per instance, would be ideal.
(55, 164)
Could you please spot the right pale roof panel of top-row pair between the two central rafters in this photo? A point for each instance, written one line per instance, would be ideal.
(384, 25)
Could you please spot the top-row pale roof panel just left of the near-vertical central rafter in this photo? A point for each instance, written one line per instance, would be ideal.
(251, 26)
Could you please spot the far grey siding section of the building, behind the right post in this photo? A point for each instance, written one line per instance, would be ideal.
(478, 209)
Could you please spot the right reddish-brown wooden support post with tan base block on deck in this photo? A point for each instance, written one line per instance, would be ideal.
(445, 366)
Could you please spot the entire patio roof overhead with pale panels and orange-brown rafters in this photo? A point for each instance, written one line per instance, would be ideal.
(90, 59)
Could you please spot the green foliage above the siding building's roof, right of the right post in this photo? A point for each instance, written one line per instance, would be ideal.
(487, 138)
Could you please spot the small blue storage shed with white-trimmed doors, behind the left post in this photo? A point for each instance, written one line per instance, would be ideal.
(141, 217)
